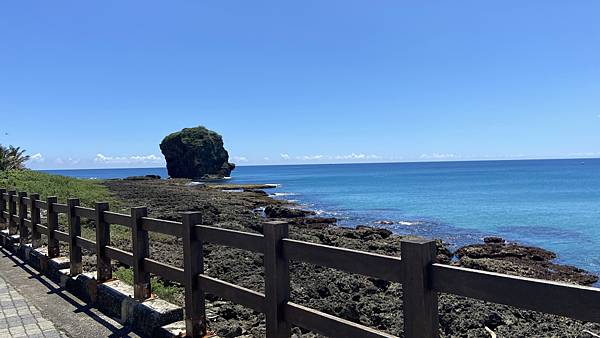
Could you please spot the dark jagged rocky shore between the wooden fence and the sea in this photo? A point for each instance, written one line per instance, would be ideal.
(368, 301)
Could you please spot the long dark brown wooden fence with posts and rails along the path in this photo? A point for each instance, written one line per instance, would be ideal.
(422, 279)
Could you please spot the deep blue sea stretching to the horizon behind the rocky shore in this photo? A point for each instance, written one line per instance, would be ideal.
(553, 204)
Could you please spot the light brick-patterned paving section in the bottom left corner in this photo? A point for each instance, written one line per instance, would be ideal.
(20, 319)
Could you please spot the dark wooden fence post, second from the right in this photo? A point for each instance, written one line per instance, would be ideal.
(277, 279)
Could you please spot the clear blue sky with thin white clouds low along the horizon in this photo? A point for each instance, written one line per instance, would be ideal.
(98, 84)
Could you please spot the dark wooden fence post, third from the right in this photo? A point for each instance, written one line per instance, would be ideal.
(195, 315)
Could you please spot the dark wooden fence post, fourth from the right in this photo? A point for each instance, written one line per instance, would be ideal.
(141, 250)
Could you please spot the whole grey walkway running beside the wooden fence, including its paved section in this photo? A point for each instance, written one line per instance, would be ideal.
(31, 305)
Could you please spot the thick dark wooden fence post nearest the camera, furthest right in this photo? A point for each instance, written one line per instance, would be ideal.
(420, 302)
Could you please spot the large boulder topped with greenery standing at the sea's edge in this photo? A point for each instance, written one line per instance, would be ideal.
(196, 153)
